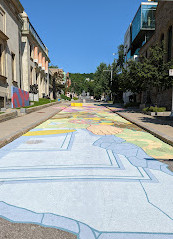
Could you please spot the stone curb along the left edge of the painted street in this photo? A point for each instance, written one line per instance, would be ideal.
(6, 140)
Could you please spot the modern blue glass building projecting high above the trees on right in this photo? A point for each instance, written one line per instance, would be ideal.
(140, 30)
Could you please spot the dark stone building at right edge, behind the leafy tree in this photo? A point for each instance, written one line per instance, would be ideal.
(163, 32)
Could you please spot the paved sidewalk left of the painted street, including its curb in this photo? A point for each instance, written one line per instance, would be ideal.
(14, 128)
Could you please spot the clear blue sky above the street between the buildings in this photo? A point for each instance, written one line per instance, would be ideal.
(80, 34)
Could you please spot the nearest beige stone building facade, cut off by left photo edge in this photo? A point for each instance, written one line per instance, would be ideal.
(10, 49)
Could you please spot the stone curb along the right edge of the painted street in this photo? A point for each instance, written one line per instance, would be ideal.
(157, 134)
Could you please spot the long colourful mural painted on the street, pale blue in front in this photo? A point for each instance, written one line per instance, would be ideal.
(90, 172)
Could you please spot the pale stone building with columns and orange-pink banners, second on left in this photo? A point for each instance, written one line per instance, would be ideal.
(35, 59)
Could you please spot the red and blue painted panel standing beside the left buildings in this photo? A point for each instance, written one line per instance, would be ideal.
(20, 98)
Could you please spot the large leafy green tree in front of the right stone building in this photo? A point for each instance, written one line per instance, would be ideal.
(148, 73)
